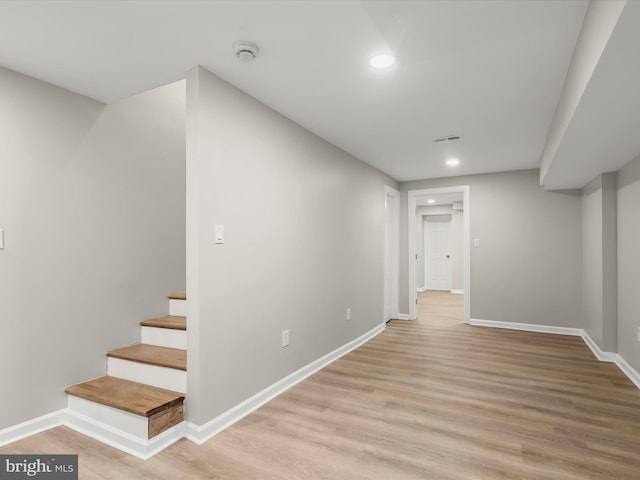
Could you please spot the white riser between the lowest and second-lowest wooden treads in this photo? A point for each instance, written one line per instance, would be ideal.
(161, 377)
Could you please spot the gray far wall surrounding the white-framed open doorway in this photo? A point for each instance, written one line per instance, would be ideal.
(528, 267)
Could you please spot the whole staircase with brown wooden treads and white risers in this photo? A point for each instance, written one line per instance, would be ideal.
(139, 405)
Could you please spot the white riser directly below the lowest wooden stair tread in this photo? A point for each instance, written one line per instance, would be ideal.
(127, 422)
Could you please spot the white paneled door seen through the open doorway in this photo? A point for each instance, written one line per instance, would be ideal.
(438, 252)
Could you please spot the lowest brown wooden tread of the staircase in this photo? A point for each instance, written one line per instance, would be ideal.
(132, 397)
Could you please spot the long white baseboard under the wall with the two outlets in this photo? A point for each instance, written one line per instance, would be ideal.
(201, 433)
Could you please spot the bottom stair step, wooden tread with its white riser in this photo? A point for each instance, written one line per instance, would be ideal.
(157, 409)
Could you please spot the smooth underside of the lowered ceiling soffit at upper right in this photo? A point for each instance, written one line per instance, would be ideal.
(603, 133)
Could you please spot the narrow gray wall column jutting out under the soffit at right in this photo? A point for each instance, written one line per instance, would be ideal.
(599, 261)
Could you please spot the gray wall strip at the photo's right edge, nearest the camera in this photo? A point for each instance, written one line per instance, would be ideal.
(629, 263)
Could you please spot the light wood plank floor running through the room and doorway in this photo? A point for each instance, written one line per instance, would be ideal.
(431, 399)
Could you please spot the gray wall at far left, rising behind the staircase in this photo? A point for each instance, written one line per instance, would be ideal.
(92, 204)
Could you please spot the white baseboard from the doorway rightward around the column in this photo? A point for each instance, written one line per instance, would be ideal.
(602, 356)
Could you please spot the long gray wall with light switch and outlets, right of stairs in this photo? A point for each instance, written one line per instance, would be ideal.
(304, 233)
